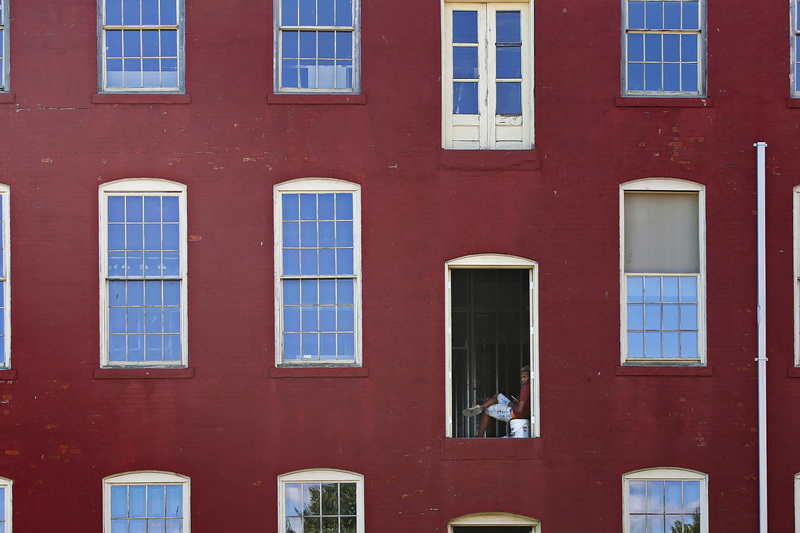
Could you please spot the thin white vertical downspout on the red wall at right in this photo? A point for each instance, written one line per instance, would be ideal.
(762, 335)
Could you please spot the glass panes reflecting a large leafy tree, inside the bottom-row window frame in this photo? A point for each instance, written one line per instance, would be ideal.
(321, 507)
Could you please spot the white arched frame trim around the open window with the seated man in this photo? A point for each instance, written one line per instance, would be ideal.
(491, 260)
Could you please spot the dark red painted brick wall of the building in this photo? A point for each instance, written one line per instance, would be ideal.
(235, 423)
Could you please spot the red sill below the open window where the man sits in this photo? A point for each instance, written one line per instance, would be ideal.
(458, 449)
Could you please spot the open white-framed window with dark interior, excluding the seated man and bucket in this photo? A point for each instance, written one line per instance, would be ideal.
(491, 322)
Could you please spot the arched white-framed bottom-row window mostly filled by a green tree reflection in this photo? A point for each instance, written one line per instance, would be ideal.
(321, 500)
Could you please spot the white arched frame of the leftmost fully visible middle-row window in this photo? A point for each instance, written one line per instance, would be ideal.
(144, 186)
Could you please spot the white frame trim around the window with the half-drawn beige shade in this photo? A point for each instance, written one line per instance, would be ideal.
(656, 185)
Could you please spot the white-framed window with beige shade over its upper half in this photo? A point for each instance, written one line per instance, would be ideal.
(662, 266)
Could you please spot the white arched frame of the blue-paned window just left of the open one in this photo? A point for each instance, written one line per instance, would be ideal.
(315, 185)
